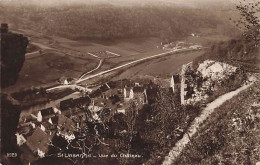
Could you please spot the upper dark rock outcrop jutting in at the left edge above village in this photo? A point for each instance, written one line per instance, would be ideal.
(13, 49)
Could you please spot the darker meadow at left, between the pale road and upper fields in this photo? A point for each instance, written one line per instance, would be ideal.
(50, 67)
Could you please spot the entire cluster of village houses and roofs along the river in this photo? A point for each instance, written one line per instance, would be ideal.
(37, 130)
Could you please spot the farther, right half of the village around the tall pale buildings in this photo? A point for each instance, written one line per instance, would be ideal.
(116, 95)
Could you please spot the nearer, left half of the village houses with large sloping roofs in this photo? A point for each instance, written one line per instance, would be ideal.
(37, 129)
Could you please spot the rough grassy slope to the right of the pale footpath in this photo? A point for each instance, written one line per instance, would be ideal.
(230, 135)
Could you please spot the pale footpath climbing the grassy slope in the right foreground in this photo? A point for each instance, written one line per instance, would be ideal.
(181, 144)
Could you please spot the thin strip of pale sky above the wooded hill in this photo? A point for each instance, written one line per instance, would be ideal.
(48, 3)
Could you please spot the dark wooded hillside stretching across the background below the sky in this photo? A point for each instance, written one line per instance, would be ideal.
(110, 22)
